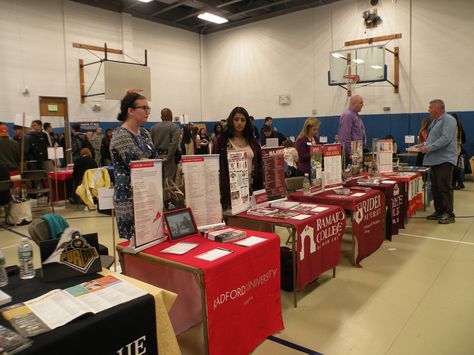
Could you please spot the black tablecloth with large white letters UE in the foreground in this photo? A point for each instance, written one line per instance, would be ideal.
(103, 333)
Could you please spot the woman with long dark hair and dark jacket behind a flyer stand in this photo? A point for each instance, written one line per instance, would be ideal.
(238, 136)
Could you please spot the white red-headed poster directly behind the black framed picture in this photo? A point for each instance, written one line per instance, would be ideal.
(201, 183)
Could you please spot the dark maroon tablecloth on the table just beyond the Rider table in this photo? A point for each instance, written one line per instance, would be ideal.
(396, 200)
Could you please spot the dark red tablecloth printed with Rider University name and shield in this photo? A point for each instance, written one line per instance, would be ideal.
(368, 213)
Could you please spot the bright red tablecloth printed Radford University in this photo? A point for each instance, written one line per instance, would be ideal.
(242, 290)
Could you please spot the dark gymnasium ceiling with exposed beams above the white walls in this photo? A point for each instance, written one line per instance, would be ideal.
(183, 13)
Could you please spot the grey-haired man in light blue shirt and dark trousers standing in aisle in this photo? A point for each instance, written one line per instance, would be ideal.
(441, 156)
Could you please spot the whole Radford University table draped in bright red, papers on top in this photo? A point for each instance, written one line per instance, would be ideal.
(236, 295)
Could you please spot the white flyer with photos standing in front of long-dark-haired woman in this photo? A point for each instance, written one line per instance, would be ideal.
(238, 181)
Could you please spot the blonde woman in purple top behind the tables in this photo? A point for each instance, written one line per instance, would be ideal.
(307, 137)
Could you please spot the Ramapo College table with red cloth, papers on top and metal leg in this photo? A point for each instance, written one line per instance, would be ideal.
(316, 238)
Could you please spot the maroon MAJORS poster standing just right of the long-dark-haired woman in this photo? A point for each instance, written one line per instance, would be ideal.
(274, 172)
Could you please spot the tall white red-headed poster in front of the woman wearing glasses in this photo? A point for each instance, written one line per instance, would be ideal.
(147, 187)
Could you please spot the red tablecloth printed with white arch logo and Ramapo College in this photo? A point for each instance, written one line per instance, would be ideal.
(318, 242)
